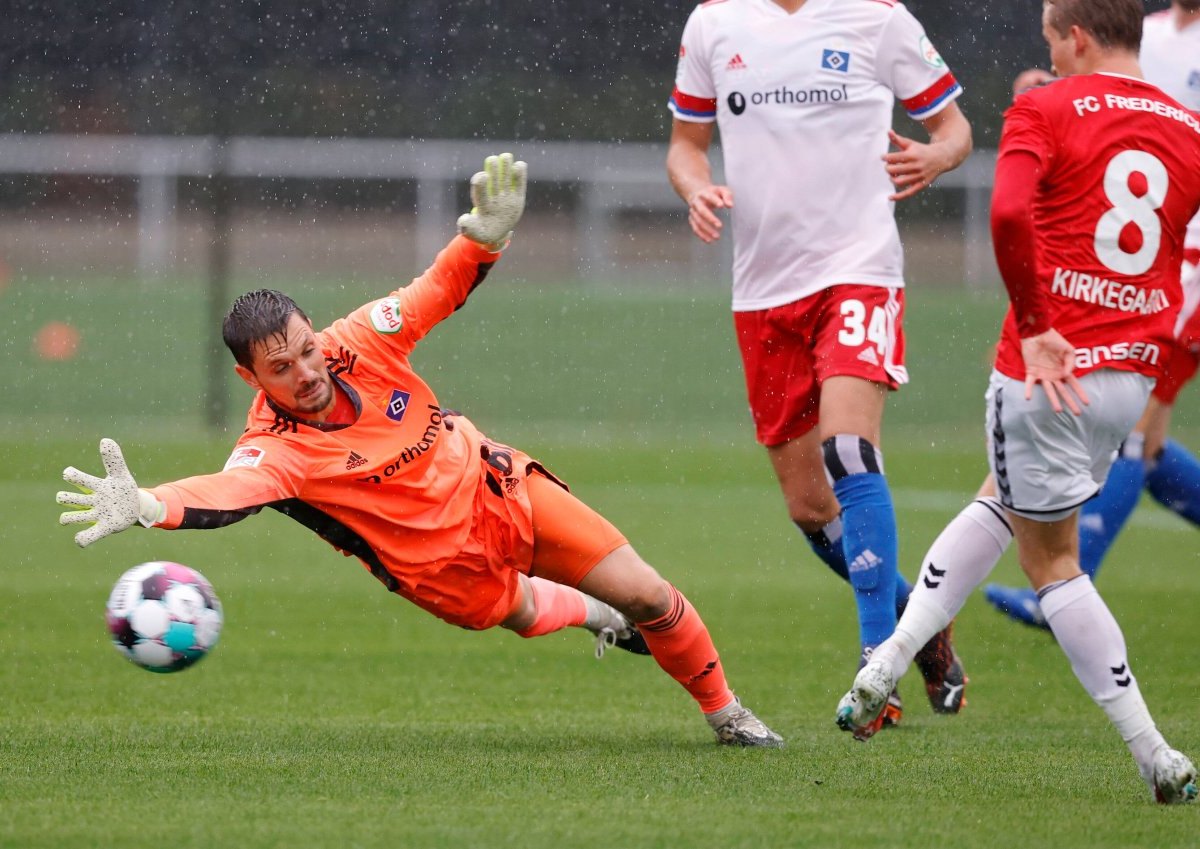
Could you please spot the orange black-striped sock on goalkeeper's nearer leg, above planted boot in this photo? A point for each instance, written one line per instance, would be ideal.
(682, 646)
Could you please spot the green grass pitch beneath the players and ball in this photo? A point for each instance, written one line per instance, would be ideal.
(335, 715)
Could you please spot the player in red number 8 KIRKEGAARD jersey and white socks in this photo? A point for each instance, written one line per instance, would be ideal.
(1096, 180)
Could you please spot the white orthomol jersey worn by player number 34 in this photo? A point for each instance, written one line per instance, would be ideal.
(805, 105)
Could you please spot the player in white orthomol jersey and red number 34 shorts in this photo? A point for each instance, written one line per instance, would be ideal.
(803, 93)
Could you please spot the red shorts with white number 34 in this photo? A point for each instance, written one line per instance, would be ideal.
(788, 352)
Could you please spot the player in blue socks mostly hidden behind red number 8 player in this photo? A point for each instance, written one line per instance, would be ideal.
(1149, 460)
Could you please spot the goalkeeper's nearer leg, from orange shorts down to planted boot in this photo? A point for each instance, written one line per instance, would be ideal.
(577, 547)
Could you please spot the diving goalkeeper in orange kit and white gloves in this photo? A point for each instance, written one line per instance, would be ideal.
(345, 438)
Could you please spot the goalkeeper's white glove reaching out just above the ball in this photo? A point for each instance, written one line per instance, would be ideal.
(112, 503)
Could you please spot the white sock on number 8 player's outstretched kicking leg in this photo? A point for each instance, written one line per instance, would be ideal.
(958, 562)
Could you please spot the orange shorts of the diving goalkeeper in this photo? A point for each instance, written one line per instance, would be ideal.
(526, 522)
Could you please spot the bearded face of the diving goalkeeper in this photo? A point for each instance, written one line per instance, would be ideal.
(290, 368)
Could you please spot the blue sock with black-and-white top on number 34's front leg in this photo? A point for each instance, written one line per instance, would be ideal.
(869, 533)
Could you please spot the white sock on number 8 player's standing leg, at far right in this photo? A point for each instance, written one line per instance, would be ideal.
(1095, 646)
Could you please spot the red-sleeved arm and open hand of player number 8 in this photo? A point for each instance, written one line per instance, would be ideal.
(1049, 359)
